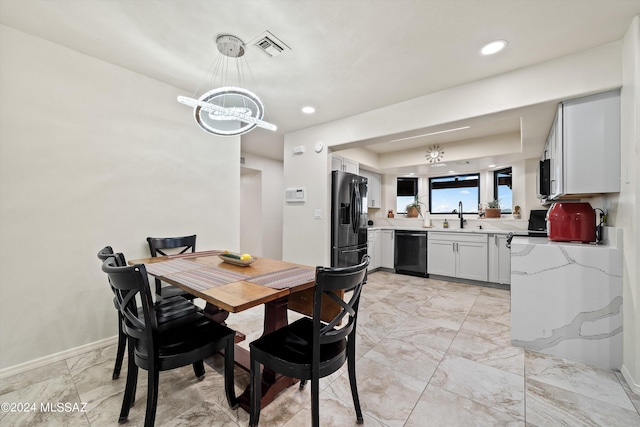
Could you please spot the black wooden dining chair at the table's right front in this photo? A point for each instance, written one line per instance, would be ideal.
(310, 349)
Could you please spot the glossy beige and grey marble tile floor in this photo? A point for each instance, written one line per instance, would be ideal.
(429, 353)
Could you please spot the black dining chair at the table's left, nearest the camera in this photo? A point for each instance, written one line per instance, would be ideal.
(153, 347)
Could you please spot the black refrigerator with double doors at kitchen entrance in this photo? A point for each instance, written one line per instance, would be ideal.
(348, 218)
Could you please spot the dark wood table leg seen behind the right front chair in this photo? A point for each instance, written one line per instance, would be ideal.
(275, 317)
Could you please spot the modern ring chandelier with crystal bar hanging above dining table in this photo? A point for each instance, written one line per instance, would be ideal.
(228, 110)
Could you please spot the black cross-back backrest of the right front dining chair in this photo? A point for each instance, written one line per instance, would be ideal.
(329, 280)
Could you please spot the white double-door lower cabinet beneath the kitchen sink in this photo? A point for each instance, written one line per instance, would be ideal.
(457, 255)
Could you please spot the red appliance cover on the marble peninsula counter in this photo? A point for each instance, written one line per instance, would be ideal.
(571, 222)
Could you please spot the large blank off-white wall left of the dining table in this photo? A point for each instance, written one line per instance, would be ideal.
(92, 155)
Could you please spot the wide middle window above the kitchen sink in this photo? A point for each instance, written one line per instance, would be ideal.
(445, 193)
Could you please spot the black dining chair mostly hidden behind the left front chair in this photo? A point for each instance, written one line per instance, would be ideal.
(166, 310)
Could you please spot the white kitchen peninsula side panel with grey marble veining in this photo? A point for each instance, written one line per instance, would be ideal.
(566, 298)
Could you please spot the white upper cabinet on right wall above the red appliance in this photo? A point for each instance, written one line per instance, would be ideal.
(584, 146)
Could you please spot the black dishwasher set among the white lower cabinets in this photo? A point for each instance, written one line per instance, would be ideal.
(411, 253)
